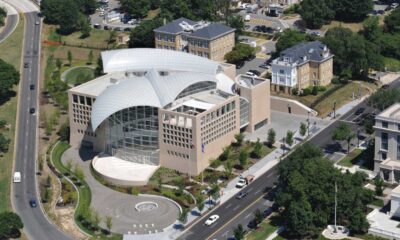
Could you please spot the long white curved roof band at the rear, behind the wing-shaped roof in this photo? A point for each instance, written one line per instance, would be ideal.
(161, 59)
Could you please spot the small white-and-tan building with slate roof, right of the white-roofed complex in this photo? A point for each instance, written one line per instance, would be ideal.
(304, 65)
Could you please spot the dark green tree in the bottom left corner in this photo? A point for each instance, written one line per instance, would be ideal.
(10, 225)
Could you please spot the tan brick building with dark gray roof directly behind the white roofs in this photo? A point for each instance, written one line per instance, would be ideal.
(205, 39)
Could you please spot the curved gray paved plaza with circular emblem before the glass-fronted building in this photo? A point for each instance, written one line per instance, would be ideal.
(153, 215)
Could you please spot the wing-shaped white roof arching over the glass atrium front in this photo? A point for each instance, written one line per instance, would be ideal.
(148, 90)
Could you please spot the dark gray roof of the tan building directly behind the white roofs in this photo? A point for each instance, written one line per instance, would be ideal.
(211, 31)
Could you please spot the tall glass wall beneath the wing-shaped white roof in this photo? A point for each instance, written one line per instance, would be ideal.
(132, 135)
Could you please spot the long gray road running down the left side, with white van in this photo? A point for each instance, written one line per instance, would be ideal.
(36, 225)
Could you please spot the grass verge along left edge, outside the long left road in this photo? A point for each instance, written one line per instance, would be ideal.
(10, 51)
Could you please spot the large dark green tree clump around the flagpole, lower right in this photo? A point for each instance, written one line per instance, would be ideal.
(306, 192)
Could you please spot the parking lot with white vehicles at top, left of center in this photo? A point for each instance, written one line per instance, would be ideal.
(108, 16)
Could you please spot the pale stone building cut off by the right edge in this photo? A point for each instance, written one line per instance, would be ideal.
(387, 144)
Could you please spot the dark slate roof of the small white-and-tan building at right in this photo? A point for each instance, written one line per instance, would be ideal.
(313, 51)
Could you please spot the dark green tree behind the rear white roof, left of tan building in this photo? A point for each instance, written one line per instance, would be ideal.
(143, 36)
